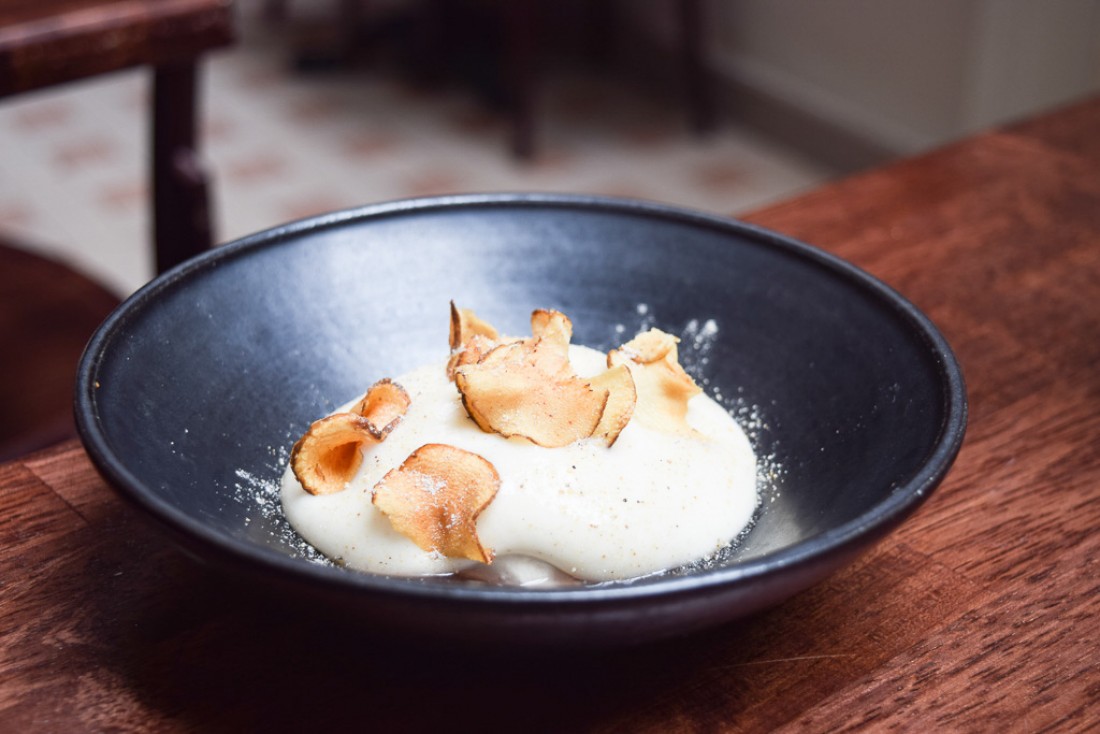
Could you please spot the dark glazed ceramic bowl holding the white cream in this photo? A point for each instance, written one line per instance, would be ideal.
(190, 395)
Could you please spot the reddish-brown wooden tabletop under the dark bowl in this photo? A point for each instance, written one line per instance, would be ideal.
(980, 615)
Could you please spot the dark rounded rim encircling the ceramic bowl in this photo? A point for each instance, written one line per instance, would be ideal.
(852, 536)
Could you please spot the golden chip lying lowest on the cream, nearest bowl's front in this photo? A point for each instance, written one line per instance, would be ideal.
(435, 498)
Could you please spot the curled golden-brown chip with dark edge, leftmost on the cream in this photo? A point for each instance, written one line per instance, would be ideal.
(328, 456)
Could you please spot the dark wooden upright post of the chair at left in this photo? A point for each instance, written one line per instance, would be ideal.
(181, 206)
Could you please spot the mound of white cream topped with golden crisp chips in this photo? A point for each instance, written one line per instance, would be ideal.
(526, 462)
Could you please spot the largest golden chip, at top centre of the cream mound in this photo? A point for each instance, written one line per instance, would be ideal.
(526, 389)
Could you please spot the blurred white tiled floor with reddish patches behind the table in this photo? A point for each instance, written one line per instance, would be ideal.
(73, 166)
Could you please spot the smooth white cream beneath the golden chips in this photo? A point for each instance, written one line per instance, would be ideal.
(651, 502)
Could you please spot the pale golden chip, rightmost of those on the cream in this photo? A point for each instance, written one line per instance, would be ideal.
(663, 386)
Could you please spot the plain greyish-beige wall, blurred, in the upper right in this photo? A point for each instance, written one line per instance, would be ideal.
(901, 75)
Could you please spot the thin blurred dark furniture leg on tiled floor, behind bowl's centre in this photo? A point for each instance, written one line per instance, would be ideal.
(521, 32)
